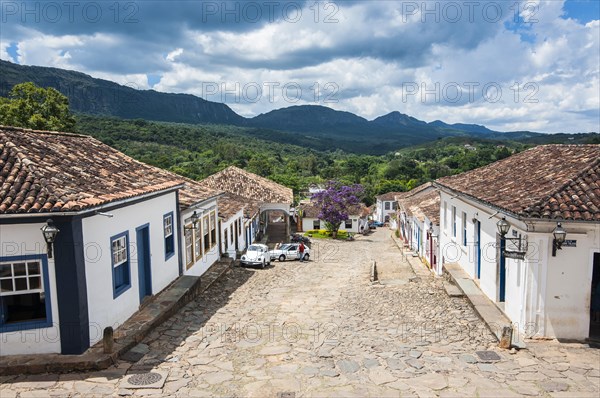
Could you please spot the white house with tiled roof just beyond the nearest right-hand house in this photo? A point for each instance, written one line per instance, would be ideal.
(418, 223)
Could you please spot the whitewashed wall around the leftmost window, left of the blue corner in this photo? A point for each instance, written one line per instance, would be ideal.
(26, 239)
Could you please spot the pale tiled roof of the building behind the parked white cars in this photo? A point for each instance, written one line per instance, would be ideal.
(249, 185)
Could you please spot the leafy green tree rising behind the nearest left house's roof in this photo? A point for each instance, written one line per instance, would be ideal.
(35, 107)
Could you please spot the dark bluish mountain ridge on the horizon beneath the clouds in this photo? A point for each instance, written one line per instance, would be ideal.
(323, 125)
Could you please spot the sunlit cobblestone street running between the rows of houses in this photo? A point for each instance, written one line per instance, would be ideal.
(321, 328)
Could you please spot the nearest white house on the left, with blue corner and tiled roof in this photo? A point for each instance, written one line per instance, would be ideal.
(112, 236)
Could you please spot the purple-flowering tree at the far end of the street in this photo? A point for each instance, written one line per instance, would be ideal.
(335, 203)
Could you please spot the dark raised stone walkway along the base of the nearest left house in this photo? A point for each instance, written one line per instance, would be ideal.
(178, 294)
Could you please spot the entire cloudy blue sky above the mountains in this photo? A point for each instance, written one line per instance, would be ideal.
(510, 65)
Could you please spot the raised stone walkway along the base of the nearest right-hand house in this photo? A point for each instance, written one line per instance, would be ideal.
(493, 316)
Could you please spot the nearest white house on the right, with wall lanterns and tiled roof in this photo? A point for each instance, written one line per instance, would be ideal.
(505, 225)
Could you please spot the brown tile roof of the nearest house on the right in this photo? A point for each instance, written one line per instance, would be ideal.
(548, 182)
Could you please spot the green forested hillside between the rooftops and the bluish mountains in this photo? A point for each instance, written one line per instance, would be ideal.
(197, 151)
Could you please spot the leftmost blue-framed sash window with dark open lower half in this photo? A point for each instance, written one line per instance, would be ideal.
(24, 293)
